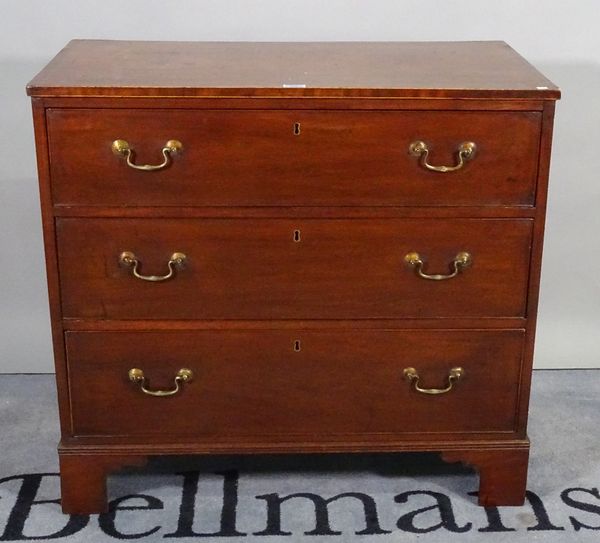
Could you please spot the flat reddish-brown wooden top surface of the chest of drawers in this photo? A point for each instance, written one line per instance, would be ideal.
(327, 69)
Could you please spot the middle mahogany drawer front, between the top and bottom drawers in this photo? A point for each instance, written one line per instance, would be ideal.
(256, 269)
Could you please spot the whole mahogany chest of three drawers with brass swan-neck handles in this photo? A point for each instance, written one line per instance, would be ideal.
(292, 248)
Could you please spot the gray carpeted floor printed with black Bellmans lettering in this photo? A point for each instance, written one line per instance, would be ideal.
(564, 474)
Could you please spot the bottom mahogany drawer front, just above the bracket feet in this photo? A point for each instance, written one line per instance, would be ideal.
(253, 383)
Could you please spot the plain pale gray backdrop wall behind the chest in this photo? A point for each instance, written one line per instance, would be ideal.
(561, 38)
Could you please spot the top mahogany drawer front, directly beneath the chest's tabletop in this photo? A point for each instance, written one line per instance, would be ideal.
(292, 158)
